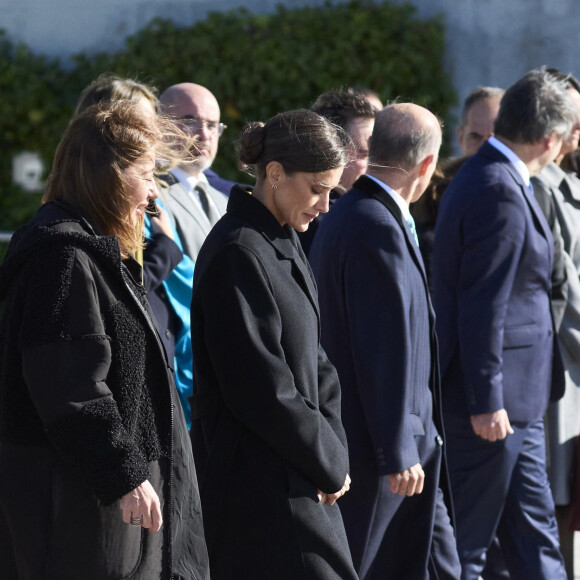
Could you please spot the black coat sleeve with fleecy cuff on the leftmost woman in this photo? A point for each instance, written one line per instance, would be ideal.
(65, 362)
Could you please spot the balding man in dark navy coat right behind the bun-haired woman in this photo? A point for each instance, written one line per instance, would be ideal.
(378, 330)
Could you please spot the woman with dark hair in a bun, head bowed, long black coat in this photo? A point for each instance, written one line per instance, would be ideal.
(268, 438)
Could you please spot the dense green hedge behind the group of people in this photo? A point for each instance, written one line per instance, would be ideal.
(255, 64)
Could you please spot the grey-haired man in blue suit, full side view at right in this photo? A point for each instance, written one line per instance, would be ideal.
(492, 264)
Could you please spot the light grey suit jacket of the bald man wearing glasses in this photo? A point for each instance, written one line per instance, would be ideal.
(192, 224)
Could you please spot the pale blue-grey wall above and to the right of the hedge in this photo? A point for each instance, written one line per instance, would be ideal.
(491, 42)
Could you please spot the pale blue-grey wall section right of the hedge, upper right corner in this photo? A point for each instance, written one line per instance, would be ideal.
(494, 42)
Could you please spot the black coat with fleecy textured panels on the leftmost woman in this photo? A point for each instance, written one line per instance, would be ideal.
(88, 411)
